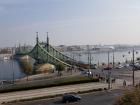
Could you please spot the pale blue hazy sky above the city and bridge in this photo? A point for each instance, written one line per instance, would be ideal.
(70, 22)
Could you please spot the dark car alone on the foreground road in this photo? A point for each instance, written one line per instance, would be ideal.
(70, 98)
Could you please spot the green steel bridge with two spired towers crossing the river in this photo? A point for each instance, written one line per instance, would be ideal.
(45, 53)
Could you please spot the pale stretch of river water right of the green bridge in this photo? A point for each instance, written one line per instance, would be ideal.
(102, 57)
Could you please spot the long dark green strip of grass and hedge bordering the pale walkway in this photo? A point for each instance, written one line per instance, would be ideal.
(48, 83)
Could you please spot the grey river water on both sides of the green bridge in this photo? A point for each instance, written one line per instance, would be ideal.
(11, 68)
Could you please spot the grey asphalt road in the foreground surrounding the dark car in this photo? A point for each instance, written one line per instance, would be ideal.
(96, 98)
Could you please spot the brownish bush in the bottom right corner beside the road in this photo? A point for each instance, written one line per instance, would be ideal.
(129, 98)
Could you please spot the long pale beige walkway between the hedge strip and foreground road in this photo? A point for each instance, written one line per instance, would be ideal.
(53, 91)
